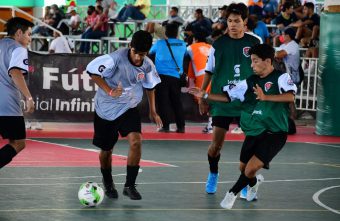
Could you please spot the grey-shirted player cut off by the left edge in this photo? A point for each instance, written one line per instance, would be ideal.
(13, 67)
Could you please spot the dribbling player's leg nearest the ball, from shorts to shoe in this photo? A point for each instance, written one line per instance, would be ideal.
(105, 137)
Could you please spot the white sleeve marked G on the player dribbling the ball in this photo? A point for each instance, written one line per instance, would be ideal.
(101, 66)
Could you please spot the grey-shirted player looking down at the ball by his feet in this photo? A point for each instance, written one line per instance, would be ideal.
(121, 77)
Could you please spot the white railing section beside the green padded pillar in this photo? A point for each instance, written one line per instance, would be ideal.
(307, 95)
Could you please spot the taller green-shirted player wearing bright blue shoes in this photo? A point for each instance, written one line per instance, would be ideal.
(228, 61)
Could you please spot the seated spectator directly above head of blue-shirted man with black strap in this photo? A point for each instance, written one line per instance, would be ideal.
(159, 29)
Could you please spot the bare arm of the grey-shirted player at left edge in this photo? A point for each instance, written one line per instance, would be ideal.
(20, 83)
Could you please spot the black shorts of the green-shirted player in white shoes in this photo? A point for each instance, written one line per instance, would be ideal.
(264, 146)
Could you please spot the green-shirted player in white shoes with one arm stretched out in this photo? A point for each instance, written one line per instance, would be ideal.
(265, 99)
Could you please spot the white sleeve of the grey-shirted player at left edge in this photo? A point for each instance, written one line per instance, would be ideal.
(19, 60)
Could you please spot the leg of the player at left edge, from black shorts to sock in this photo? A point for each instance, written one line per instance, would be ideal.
(13, 129)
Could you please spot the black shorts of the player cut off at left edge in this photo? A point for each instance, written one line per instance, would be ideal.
(12, 127)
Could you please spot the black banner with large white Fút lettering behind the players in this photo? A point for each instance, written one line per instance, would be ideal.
(62, 91)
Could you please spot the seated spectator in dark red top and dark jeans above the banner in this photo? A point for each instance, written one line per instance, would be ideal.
(98, 30)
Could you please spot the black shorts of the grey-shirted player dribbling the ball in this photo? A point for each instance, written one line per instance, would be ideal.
(106, 132)
